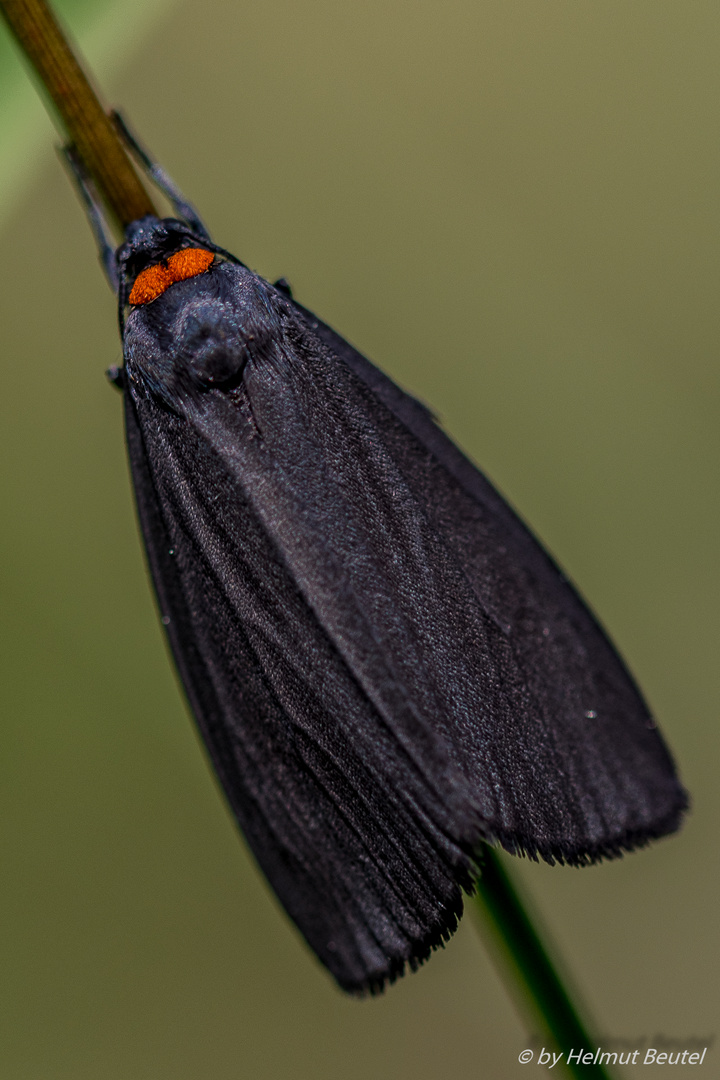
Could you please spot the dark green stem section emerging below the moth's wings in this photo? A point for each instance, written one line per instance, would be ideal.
(527, 968)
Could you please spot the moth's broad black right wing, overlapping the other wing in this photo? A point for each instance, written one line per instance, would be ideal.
(479, 656)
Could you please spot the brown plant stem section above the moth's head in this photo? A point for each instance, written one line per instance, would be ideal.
(85, 121)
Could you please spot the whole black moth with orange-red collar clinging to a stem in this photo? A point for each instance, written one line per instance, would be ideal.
(387, 668)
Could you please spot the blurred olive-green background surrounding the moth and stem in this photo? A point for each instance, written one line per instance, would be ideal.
(514, 210)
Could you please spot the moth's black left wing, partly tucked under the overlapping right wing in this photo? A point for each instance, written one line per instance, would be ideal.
(370, 881)
